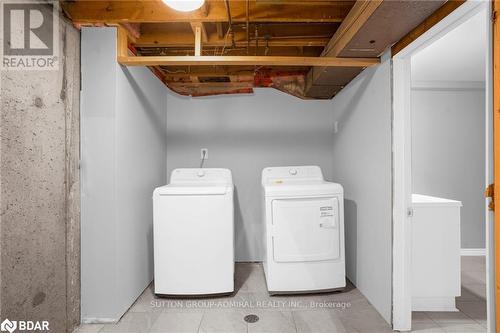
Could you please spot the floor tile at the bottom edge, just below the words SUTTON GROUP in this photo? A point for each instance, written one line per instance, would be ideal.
(174, 322)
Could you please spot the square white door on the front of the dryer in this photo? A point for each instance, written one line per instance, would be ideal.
(306, 229)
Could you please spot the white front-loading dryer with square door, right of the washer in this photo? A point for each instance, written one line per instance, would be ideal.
(304, 230)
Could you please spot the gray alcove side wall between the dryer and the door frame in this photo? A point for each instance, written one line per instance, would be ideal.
(362, 164)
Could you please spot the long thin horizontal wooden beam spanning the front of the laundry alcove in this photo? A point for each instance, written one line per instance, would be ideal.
(245, 61)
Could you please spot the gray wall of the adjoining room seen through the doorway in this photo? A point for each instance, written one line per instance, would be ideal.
(448, 153)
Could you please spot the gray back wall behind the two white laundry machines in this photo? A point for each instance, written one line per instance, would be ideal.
(247, 133)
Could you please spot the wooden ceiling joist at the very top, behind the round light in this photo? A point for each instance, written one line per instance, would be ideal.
(154, 11)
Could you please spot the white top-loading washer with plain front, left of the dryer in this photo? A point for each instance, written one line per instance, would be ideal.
(194, 233)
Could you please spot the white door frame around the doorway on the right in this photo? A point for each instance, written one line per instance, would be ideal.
(401, 160)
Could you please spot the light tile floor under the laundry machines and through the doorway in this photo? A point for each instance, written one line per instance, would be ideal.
(342, 312)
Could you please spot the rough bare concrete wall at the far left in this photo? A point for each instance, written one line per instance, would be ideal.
(40, 189)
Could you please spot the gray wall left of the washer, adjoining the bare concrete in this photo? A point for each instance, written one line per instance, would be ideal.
(123, 160)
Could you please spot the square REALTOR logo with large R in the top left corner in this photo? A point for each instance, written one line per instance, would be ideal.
(30, 35)
